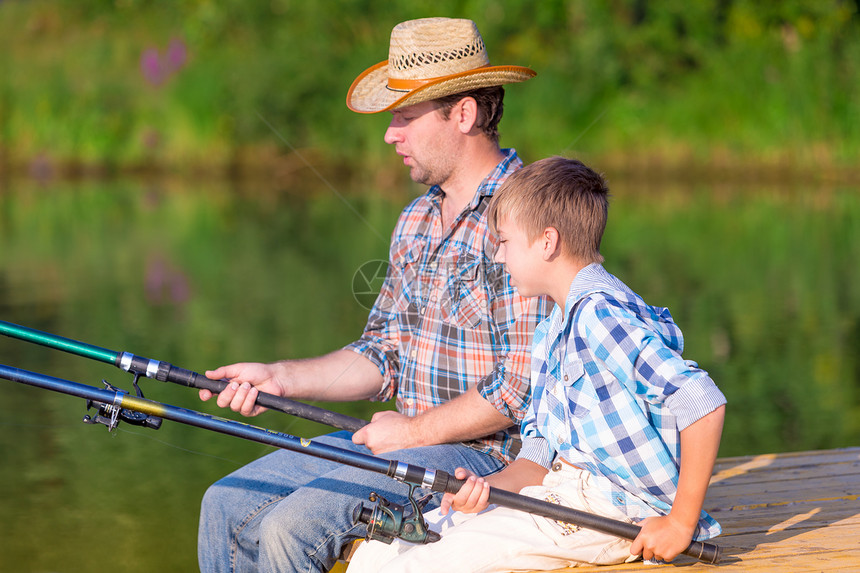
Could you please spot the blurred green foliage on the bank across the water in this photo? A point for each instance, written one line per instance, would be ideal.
(749, 79)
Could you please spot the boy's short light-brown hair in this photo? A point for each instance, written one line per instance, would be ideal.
(556, 192)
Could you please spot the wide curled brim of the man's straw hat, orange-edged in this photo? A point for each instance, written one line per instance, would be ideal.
(369, 93)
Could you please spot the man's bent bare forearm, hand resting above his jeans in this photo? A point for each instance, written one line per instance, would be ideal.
(466, 417)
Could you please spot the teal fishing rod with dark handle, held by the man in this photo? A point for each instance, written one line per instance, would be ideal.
(166, 372)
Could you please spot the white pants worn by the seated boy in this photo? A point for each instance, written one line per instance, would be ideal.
(502, 539)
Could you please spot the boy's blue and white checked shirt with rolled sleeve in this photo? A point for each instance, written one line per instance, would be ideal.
(611, 394)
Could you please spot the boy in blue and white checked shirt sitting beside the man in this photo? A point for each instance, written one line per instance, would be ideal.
(619, 424)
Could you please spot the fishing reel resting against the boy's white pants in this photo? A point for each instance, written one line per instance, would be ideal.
(387, 521)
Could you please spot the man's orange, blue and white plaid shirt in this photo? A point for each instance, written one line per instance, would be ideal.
(447, 317)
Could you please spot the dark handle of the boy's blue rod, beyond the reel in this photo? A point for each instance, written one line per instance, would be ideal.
(706, 552)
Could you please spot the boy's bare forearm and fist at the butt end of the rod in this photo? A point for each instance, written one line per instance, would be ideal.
(664, 537)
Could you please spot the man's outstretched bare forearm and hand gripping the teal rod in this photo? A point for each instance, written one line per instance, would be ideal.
(340, 376)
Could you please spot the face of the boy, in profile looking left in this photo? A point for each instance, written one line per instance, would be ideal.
(520, 256)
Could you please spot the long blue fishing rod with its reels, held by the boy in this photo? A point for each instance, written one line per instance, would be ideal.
(384, 522)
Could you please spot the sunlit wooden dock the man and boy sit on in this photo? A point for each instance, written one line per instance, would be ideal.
(779, 512)
